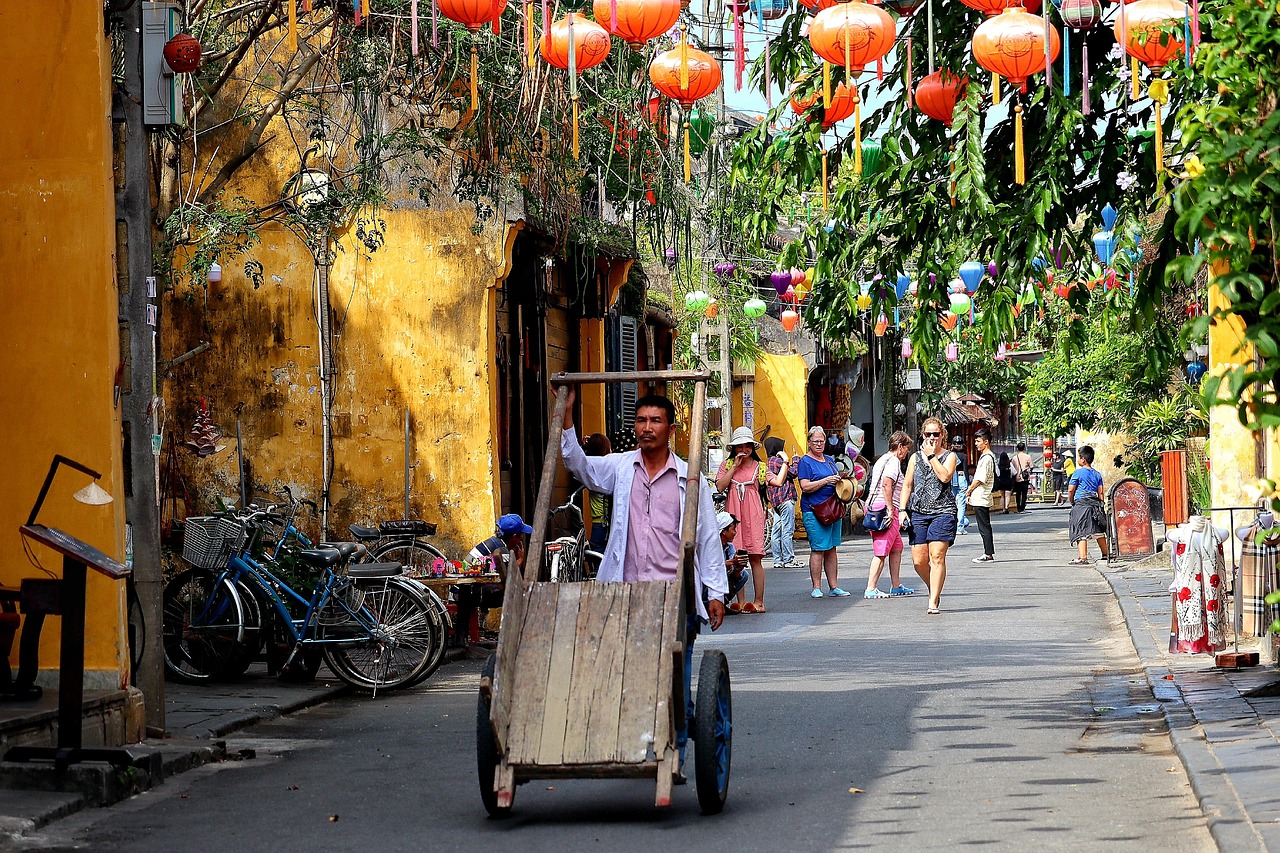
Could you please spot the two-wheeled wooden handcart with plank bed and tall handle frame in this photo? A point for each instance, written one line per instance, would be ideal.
(588, 678)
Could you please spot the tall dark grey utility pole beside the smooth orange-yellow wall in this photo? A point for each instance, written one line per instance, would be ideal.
(140, 325)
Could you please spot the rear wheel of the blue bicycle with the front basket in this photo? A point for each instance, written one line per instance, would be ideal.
(391, 655)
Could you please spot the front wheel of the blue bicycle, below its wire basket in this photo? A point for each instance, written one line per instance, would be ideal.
(203, 627)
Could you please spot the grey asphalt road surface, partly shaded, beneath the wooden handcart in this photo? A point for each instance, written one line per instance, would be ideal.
(1014, 720)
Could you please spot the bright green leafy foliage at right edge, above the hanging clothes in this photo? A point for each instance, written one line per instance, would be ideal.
(1231, 209)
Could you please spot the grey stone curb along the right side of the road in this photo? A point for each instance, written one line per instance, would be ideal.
(1224, 814)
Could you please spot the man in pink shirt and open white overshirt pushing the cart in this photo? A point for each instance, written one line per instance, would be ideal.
(648, 489)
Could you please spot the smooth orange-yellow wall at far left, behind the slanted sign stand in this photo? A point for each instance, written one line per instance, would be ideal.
(58, 327)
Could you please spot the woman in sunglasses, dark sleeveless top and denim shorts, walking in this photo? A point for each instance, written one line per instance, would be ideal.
(931, 508)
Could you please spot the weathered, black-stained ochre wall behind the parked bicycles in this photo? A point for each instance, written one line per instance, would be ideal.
(414, 330)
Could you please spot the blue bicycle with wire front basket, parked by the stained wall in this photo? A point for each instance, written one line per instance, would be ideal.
(374, 628)
